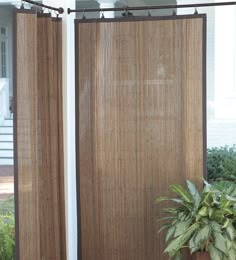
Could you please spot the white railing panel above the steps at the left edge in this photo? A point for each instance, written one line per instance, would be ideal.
(4, 99)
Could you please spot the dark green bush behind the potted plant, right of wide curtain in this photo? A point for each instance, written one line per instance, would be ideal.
(221, 163)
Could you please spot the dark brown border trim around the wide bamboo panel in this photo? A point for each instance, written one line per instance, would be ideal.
(204, 96)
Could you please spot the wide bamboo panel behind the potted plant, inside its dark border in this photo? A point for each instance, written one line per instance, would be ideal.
(139, 129)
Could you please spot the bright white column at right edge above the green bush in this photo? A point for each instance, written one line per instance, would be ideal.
(225, 55)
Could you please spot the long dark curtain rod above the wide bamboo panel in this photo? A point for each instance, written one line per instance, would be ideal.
(137, 8)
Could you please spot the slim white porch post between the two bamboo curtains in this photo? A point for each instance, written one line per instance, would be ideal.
(69, 124)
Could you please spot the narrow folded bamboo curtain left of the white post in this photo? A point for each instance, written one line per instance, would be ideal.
(39, 137)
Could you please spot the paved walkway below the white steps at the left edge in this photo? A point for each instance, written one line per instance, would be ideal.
(6, 181)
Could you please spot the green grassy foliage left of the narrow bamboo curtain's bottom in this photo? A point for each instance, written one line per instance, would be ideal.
(7, 229)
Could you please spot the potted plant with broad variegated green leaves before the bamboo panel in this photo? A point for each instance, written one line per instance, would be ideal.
(204, 222)
